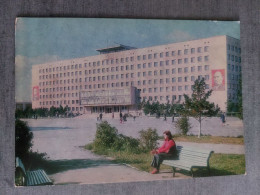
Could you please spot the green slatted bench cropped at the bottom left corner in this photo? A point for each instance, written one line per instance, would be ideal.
(30, 178)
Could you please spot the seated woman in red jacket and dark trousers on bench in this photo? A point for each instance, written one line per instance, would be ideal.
(166, 151)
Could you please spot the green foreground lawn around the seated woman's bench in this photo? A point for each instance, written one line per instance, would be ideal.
(220, 164)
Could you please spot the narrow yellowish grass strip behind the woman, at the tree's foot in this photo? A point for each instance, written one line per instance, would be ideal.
(209, 139)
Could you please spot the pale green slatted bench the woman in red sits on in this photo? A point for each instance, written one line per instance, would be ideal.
(189, 158)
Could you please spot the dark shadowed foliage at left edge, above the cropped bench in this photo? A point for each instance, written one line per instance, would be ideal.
(23, 139)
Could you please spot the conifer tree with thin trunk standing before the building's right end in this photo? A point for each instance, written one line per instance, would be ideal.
(197, 105)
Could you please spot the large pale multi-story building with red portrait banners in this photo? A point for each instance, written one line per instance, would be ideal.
(120, 76)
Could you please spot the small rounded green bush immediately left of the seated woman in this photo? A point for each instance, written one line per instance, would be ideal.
(148, 139)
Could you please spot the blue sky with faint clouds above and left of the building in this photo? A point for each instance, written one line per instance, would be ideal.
(42, 40)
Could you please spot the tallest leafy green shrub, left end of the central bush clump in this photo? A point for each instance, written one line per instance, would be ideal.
(105, 135)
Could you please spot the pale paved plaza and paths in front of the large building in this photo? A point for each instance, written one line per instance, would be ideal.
(63, 140)
